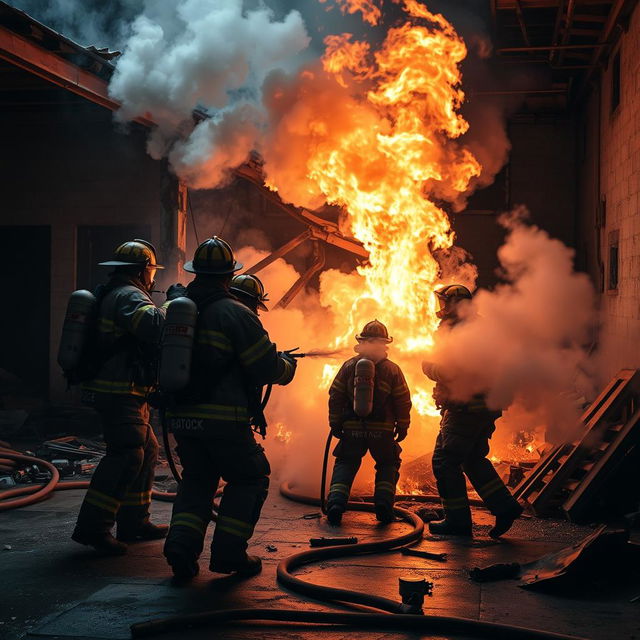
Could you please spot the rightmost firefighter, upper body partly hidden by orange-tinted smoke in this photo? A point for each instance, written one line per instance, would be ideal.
(462, 445)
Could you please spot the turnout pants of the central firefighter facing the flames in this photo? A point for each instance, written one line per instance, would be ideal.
(349, 453)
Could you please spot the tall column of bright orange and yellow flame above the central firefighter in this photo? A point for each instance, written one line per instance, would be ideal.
(413, 84)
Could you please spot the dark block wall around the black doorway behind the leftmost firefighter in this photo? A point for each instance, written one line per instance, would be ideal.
(72, 167)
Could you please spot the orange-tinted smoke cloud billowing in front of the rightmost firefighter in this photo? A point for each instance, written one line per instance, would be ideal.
(528, 341)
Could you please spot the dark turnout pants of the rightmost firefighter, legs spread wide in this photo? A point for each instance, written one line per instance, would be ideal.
(461, 449)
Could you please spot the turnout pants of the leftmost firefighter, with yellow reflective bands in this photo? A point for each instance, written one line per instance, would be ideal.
(120, 489)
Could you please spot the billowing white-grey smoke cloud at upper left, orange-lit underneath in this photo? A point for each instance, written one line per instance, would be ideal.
(208, 54)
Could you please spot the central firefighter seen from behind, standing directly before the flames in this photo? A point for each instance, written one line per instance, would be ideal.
(380, 432)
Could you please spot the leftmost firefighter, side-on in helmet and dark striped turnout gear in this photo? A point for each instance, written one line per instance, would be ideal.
(128, 332)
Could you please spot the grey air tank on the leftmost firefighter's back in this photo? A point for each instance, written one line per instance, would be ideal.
(81, 310)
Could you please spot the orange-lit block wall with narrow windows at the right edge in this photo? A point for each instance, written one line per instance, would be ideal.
(620, 188)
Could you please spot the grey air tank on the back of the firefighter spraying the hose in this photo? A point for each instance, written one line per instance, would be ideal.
(177, 345)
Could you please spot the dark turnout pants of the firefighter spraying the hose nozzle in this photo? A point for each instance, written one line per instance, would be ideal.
(240, 461)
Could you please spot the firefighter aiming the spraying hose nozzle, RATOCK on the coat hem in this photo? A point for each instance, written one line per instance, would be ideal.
(211, 421)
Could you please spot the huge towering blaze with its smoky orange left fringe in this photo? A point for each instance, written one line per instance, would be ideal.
(385, 145)
